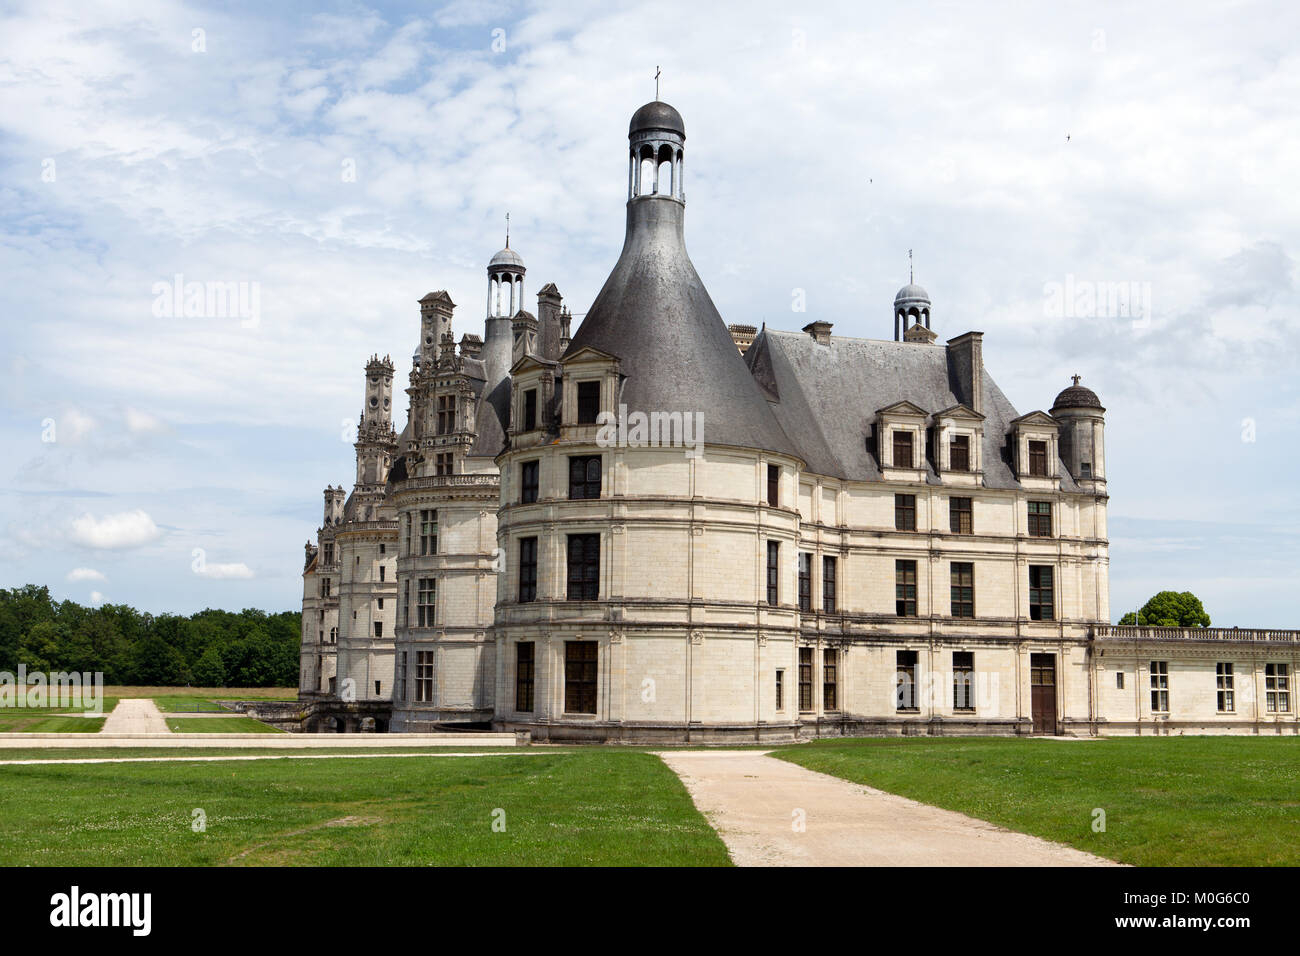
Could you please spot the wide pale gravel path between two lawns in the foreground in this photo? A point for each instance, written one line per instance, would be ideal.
(756, 804)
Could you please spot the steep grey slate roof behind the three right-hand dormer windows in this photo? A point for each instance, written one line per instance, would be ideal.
(829, 396)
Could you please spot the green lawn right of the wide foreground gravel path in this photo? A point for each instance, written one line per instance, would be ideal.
(1169, 802)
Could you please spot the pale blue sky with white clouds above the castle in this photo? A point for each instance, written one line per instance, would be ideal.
(177, 462)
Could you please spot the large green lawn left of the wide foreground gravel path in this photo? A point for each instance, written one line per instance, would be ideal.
(560, 808)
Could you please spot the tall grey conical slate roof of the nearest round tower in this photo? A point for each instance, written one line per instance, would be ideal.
(677, 353)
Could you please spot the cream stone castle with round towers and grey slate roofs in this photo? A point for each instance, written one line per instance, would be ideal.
(660, 529)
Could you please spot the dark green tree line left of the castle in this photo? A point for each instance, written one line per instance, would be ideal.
(210, 648)
